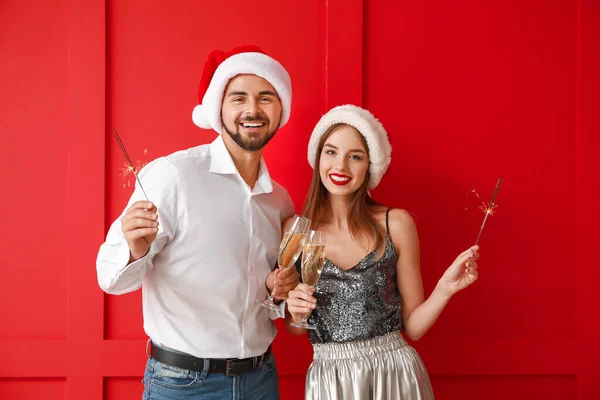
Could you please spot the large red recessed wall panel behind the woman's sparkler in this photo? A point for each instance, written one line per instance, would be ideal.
(470, 91)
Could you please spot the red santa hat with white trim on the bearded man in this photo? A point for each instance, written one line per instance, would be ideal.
(221, 66)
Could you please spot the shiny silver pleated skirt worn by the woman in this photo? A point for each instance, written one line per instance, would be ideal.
(382, 368)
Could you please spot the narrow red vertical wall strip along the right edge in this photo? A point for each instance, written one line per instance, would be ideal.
(588, 192)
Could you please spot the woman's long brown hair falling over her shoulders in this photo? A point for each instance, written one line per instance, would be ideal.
(362, 226)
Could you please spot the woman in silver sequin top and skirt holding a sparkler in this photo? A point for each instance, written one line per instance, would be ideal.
(370, 287)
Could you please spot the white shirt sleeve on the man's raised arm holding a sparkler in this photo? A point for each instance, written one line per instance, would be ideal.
(160, 180)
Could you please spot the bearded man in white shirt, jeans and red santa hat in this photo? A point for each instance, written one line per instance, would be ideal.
(203, 248)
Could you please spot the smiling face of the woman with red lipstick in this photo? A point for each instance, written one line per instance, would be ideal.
(344, 161)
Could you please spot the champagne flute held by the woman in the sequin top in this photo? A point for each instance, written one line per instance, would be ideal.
(313, 258)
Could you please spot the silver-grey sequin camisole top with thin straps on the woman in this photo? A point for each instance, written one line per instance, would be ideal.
(360, 303)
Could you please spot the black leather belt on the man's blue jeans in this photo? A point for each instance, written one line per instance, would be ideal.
(229, 367)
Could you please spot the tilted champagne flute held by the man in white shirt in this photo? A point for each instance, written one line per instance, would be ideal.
(289, 250)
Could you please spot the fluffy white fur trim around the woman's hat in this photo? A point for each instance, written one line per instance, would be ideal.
(376, 137)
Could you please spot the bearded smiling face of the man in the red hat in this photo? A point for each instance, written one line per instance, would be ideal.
(251, 111)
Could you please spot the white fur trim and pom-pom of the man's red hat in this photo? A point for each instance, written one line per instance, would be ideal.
(208, 114)
